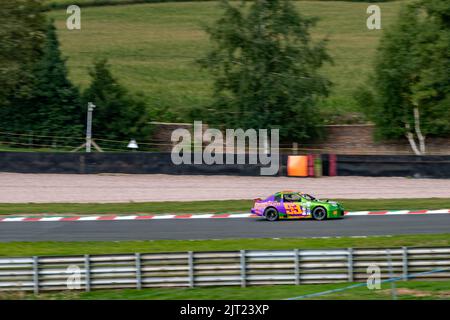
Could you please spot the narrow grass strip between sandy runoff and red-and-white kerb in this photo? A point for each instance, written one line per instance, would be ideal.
(208, 206)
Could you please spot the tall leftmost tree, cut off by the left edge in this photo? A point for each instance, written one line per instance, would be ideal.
(22, 34)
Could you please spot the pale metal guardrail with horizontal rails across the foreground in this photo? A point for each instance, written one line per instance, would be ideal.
(236, 268)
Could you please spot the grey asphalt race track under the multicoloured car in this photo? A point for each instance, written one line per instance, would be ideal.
(190, 229)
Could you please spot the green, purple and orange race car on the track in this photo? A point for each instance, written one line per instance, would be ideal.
(293, 205)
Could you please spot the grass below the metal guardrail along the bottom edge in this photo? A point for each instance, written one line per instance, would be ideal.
(420, 290)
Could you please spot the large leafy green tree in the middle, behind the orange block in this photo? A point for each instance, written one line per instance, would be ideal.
(266, 69)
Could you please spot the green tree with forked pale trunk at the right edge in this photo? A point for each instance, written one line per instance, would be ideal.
(409, 95)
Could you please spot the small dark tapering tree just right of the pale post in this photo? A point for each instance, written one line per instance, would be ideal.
(118, 114)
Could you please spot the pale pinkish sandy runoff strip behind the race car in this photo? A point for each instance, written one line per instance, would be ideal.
(90, 188)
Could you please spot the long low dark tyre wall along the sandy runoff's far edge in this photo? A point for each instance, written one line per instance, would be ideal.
(161, 163)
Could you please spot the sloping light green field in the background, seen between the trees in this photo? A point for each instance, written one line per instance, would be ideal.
(152, 49)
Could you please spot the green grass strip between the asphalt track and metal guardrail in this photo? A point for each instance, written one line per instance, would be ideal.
(113, 247)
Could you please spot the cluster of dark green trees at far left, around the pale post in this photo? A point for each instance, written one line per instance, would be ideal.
(36, 94)
